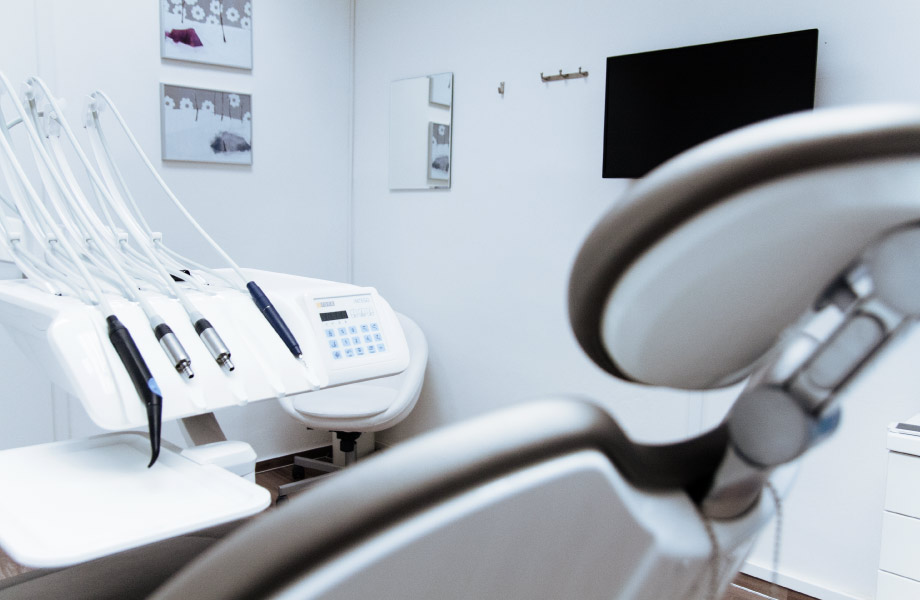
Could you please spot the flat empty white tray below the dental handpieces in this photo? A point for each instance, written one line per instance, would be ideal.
(69, 502)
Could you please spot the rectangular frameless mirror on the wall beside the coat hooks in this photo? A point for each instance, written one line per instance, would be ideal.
(420, 132)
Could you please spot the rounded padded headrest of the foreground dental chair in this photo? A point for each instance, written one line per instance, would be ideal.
(692, 276)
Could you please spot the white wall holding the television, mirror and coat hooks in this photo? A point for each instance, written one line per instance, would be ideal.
(483, 267)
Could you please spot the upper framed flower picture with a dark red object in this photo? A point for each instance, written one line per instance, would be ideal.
(217, 32)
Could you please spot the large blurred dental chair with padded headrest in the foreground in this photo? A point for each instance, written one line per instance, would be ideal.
(786, 253)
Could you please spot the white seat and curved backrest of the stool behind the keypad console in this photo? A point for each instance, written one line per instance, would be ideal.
(371, 405)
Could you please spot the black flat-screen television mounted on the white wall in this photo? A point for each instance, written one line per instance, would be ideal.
(660, 103)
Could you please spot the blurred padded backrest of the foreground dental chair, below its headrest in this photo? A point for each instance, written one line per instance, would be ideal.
(543, 500)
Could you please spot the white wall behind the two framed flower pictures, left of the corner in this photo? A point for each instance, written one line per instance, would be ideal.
(287, 212)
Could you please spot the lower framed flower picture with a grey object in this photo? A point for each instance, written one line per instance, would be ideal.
(206, 125)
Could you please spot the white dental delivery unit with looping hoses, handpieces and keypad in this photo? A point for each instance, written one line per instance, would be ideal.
(140, 334)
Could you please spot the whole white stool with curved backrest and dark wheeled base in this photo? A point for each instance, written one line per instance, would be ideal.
(363, 407)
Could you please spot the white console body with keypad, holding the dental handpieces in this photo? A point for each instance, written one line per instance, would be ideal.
(348, 333)
